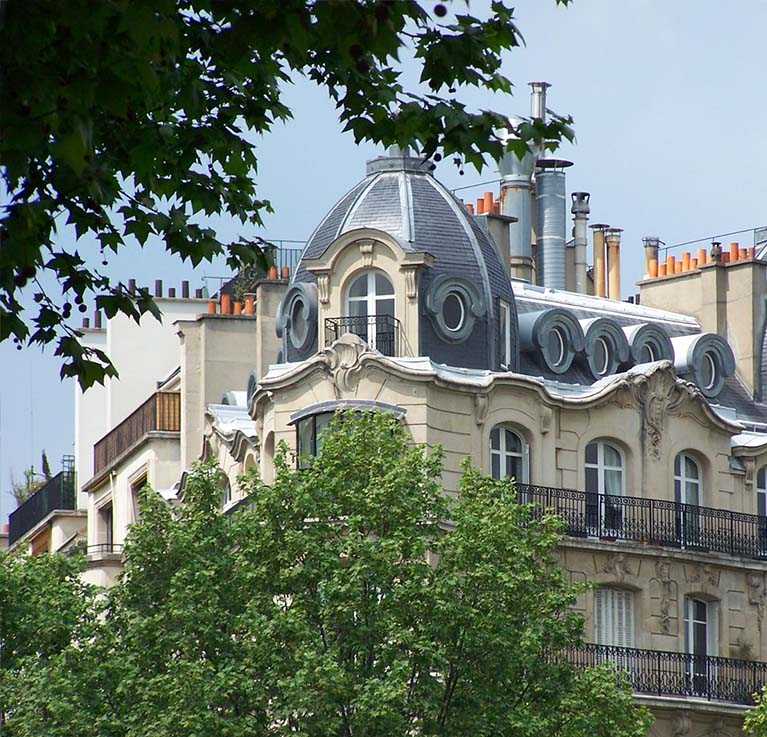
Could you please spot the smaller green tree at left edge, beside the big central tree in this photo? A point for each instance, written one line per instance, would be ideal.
(42, 603)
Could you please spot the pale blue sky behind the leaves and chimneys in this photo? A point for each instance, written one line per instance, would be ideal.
(668, 105)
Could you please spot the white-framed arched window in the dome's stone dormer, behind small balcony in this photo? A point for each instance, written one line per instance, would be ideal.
(370, 311)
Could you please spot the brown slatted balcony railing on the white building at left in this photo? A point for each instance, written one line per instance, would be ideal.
(161, 412)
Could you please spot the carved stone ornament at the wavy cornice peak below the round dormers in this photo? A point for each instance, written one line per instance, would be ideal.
(658, 395)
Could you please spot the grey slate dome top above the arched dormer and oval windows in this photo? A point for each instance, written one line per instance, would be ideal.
(400, 196)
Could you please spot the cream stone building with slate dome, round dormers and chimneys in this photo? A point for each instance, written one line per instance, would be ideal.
(484, 328)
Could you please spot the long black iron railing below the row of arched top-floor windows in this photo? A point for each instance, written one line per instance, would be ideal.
(652, 521)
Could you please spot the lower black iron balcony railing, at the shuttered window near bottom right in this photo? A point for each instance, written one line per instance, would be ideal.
(662, 673)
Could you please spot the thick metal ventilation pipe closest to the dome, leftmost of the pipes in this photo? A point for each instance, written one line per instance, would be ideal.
(516, 202)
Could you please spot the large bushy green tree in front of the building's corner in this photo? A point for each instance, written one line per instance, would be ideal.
(338, 602)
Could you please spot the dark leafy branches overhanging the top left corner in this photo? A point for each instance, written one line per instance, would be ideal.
(134, 119)
